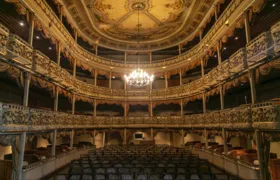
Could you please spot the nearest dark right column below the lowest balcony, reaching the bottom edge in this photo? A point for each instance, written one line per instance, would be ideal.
(260, 154)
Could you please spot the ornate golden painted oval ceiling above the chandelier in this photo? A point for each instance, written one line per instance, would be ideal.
(114, 23)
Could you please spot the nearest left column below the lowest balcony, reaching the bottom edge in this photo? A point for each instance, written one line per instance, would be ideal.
(21, 155)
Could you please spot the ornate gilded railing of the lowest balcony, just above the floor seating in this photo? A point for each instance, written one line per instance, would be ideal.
(262, 116)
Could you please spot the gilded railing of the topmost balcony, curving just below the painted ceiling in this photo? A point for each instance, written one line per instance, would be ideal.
(81, 53)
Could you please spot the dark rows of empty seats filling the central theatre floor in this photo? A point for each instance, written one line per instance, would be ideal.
(141, 163)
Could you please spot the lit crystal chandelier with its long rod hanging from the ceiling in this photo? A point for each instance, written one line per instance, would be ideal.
(138, 77)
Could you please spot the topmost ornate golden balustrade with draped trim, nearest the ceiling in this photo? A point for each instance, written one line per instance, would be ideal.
(47, 15)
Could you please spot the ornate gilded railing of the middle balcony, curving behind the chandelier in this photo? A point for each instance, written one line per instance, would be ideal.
(255, 52)
